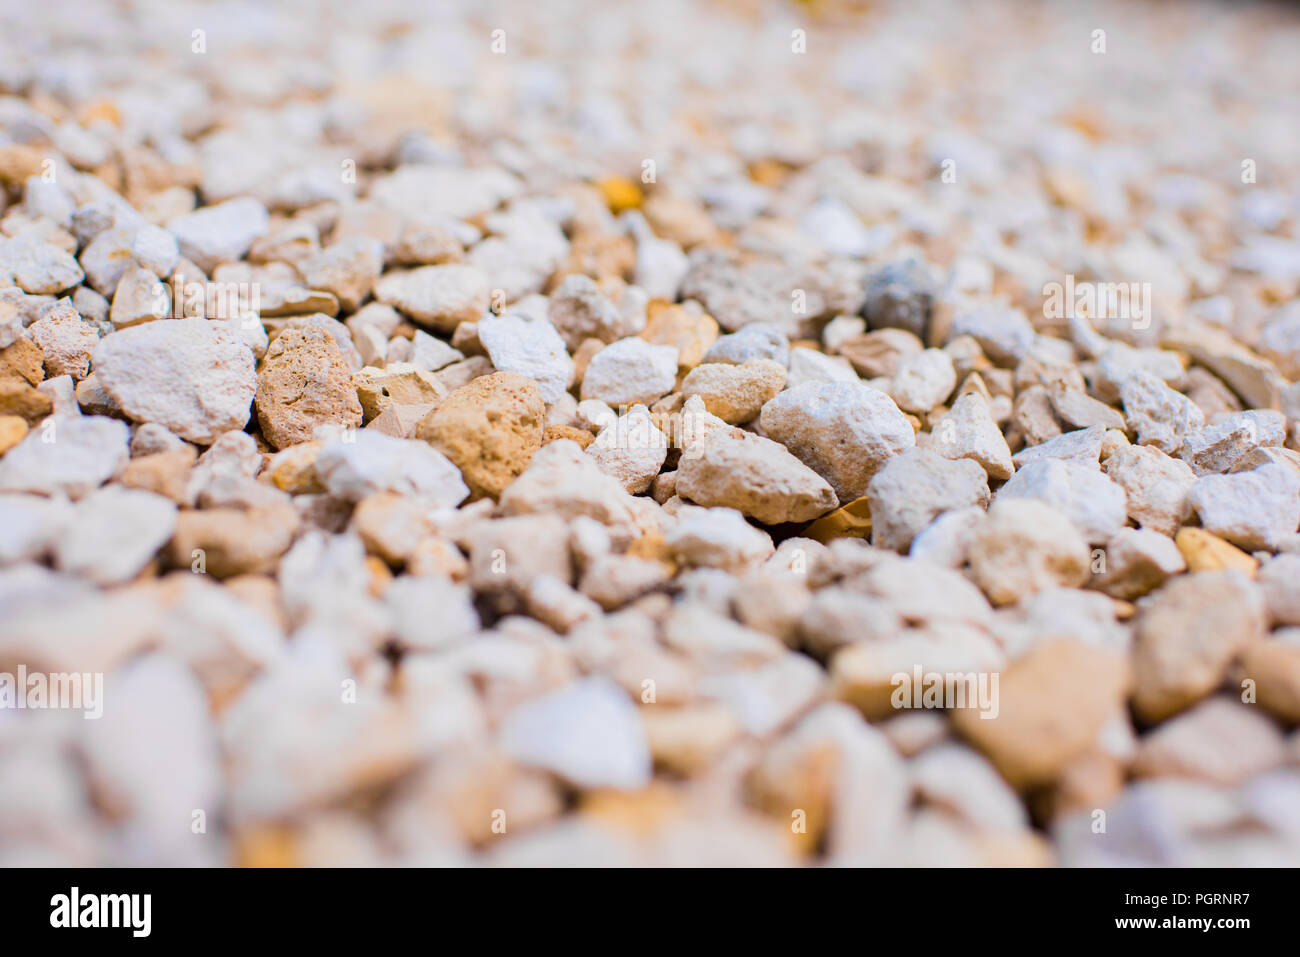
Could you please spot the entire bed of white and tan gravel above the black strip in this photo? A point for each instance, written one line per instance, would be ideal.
(548, 434)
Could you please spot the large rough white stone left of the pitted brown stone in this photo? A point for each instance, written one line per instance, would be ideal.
(192, 376)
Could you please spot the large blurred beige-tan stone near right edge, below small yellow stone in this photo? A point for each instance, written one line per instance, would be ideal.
(1189, 636)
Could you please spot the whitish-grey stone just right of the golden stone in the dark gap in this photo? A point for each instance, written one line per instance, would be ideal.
(917, 487)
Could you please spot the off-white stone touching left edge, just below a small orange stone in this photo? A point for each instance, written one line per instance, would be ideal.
(84, 454)
